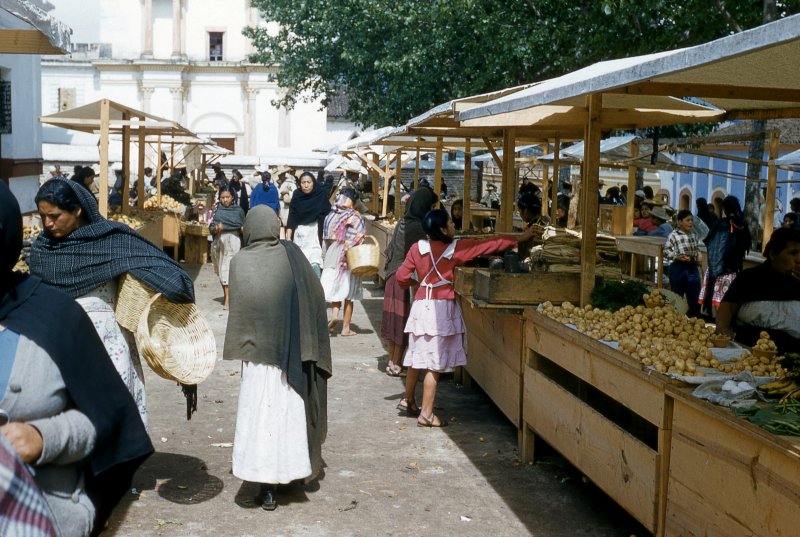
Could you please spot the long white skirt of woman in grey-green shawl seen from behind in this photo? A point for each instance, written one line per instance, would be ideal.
(271, 440)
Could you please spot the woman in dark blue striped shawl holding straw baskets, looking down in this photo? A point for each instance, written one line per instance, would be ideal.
(83, 254)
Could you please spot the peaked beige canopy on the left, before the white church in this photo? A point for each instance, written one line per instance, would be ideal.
(87, 118)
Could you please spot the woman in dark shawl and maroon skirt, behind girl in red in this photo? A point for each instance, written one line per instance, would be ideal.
(396, 301)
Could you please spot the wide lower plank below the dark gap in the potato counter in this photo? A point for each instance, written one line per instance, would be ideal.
(613, 459)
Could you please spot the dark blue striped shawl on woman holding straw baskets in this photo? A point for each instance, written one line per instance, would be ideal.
(101, 251)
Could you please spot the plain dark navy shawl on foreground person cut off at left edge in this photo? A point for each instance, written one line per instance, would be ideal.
(57, 324)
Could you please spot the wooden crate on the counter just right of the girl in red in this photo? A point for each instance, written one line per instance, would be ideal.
(499, 287)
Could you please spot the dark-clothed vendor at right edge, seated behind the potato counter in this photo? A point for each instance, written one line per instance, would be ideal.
(767, 297)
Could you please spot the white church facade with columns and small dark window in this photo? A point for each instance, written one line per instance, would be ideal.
(186, 60)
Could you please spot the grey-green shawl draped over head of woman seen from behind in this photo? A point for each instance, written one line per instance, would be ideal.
(281, 320)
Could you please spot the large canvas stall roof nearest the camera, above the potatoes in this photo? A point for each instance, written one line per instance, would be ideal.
(746, 74)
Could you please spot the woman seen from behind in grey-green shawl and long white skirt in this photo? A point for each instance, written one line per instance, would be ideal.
(279, 332)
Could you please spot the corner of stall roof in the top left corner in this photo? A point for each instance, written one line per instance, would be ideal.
(36, 32)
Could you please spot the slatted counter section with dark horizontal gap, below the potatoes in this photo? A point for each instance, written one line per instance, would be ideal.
(600, 410)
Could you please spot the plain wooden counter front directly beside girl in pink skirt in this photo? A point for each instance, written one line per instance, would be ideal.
(494, 356)
